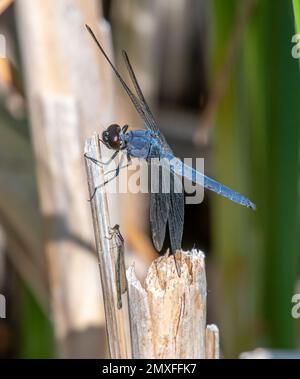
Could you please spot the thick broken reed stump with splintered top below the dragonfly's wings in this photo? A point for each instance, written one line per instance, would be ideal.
(168, 314)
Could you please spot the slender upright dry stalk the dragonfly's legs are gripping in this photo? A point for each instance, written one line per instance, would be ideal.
(116, 319)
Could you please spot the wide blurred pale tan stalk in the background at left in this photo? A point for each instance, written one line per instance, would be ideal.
(69, 95)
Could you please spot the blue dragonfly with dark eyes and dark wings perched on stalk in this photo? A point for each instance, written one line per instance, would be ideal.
(166, 207)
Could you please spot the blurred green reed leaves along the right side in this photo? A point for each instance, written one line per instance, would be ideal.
(256, 151)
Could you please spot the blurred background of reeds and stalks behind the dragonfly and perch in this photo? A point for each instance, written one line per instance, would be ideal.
(223, 84)
